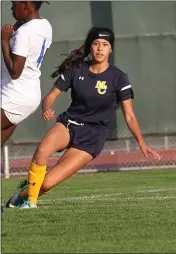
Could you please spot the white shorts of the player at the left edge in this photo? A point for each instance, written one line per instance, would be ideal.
(17, 113)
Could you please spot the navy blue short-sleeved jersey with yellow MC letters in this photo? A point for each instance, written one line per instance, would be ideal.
(94, 96)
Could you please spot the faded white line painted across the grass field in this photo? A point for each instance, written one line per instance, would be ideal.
(113, 196)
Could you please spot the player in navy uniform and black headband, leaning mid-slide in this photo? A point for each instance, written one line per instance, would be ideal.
(96, 89)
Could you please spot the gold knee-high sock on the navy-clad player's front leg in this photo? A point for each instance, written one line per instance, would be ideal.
(35, 179)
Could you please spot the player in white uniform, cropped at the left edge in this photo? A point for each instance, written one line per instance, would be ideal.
(23, 47)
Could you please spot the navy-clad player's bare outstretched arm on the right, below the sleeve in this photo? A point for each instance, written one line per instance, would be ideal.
(133, 125)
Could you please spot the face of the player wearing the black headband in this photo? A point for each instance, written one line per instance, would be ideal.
(100, 50)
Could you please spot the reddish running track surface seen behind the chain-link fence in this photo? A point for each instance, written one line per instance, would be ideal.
(109, 161)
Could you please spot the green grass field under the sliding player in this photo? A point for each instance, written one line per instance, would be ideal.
(126, 212)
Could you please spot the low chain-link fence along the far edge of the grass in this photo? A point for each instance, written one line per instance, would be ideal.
(122, 154)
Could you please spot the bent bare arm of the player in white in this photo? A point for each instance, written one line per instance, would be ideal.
(14, 63)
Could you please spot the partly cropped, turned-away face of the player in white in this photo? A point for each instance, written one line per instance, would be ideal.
(19, 10)
